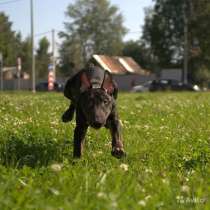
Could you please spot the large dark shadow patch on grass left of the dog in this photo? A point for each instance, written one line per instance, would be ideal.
(33, 153)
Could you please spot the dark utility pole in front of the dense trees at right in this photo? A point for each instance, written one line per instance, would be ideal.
(186, 46)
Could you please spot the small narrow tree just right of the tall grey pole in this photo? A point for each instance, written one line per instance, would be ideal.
(42, 58)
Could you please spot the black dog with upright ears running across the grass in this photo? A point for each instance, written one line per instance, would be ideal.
(93, 92)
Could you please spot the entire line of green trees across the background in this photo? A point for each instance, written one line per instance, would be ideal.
(97, 27)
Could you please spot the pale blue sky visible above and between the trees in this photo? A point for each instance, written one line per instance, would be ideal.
(50, 14)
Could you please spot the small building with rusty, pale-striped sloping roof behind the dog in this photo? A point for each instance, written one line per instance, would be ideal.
(125, 71)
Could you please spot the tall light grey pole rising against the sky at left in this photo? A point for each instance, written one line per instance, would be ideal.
(32, 48)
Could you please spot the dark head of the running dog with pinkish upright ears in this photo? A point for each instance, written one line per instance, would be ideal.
(97, 103)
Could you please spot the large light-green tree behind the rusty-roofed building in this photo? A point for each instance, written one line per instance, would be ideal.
(93, 27)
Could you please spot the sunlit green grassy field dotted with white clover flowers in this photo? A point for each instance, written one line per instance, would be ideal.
(166, 136)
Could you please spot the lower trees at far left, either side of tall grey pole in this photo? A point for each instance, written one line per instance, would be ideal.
(12, 46)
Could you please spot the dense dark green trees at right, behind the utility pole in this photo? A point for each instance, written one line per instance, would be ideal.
(163, 33)
